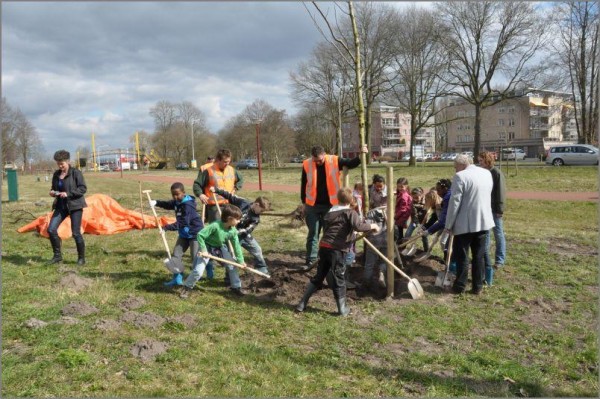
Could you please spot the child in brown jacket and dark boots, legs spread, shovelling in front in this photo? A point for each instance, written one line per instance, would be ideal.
(339, 223)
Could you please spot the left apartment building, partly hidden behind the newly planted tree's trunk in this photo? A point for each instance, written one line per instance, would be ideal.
(390, 134)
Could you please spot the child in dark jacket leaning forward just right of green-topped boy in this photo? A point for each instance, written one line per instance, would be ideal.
(250, 219)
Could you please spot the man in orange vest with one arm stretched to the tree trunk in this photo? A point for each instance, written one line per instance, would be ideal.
(319, 186)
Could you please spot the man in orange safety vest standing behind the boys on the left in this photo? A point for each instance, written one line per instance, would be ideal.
(219, 175)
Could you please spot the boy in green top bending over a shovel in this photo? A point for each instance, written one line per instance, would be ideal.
(212, 239)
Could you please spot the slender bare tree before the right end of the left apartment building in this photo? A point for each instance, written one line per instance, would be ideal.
(419, 62)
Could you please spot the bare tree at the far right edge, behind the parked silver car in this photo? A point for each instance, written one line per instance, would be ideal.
(577, 48)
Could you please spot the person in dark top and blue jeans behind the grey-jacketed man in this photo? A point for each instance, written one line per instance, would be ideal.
(486, 160)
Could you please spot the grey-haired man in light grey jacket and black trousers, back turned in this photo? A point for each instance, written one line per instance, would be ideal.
(469, 218)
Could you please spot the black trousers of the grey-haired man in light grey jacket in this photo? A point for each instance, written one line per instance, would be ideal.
(460, 249)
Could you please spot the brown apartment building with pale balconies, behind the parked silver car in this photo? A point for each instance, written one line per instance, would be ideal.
(531, 122)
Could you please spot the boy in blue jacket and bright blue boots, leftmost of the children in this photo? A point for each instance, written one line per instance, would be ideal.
(188, 223)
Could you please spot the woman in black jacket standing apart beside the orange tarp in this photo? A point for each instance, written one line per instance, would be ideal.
(68, 188)
